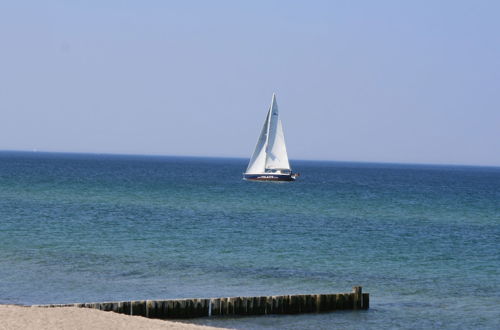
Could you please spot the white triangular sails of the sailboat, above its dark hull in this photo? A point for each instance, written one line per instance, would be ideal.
(270, 152)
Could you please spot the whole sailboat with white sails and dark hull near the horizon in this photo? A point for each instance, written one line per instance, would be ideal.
(269, 161)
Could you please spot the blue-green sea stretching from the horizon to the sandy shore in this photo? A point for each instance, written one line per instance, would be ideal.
(423, 240)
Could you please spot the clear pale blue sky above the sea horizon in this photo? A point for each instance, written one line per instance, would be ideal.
(389, 81)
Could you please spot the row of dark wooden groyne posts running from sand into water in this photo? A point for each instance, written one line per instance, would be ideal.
(191, 308)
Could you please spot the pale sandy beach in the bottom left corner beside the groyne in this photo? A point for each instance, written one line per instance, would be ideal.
(20, 317)
